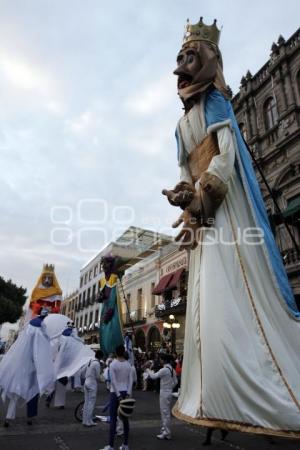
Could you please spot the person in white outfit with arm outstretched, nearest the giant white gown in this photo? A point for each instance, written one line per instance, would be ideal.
(168, 380)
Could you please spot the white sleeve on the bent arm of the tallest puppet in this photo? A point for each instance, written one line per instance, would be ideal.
(222, 165)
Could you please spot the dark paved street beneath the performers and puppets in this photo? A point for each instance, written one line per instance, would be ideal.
(58, 430)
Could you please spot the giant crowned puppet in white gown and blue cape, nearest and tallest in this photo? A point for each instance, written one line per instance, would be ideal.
(241, 354)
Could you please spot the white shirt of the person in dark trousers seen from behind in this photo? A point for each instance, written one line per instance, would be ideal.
(120, 377)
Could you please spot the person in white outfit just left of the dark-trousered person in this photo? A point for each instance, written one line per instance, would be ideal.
(92, 377)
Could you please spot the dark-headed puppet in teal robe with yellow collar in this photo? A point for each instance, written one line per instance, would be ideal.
(110, 320)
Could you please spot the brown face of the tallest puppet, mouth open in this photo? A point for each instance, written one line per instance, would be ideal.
(188, 67)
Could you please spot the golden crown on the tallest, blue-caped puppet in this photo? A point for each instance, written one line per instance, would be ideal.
(201, 32)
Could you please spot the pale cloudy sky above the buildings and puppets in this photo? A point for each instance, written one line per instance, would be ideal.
(88, 108)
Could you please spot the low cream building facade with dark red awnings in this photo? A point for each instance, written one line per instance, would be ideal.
(155, 289)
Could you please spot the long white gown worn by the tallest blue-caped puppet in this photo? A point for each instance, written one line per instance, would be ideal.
(241, 366)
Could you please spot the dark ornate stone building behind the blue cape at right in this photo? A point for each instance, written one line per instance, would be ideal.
(267, 108)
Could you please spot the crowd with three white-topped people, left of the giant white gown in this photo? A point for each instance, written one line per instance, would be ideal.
(158, 371)
